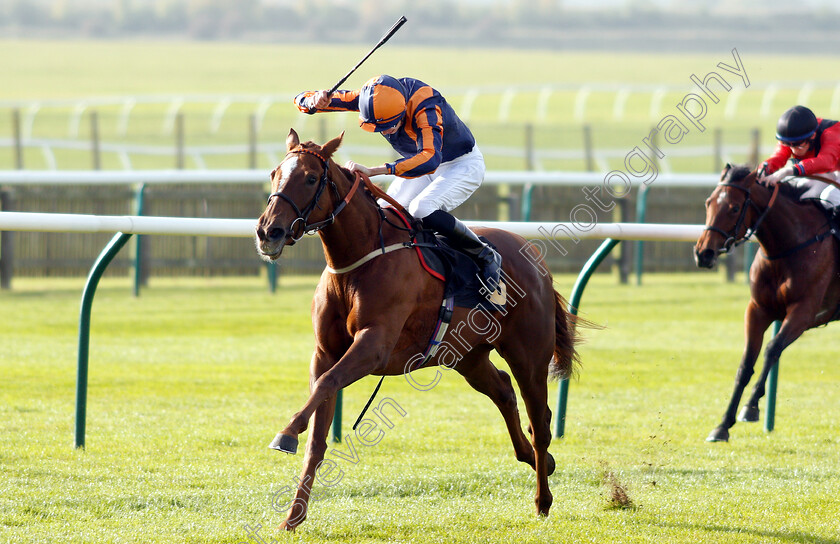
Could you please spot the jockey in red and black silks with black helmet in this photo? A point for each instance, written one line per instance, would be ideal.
(811, 145)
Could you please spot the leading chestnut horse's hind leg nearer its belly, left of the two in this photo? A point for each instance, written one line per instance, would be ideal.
(485, 378)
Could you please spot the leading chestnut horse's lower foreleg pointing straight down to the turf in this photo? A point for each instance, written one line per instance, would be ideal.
(315, 449)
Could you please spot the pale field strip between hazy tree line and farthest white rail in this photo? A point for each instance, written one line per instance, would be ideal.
(59, 69)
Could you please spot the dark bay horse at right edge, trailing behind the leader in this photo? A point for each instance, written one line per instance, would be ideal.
(794, 278)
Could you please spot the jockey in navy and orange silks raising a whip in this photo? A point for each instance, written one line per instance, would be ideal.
(441, 165)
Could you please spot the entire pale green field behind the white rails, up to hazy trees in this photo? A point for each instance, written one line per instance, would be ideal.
(40, 71)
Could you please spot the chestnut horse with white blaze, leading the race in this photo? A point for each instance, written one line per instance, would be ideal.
(371, 315)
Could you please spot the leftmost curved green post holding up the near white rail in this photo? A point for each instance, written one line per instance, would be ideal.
(102, 262)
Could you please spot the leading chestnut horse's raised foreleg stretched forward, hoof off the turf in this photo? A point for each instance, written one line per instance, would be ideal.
(369, 352)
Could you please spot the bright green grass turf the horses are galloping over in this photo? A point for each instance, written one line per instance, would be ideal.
(190, 381)
